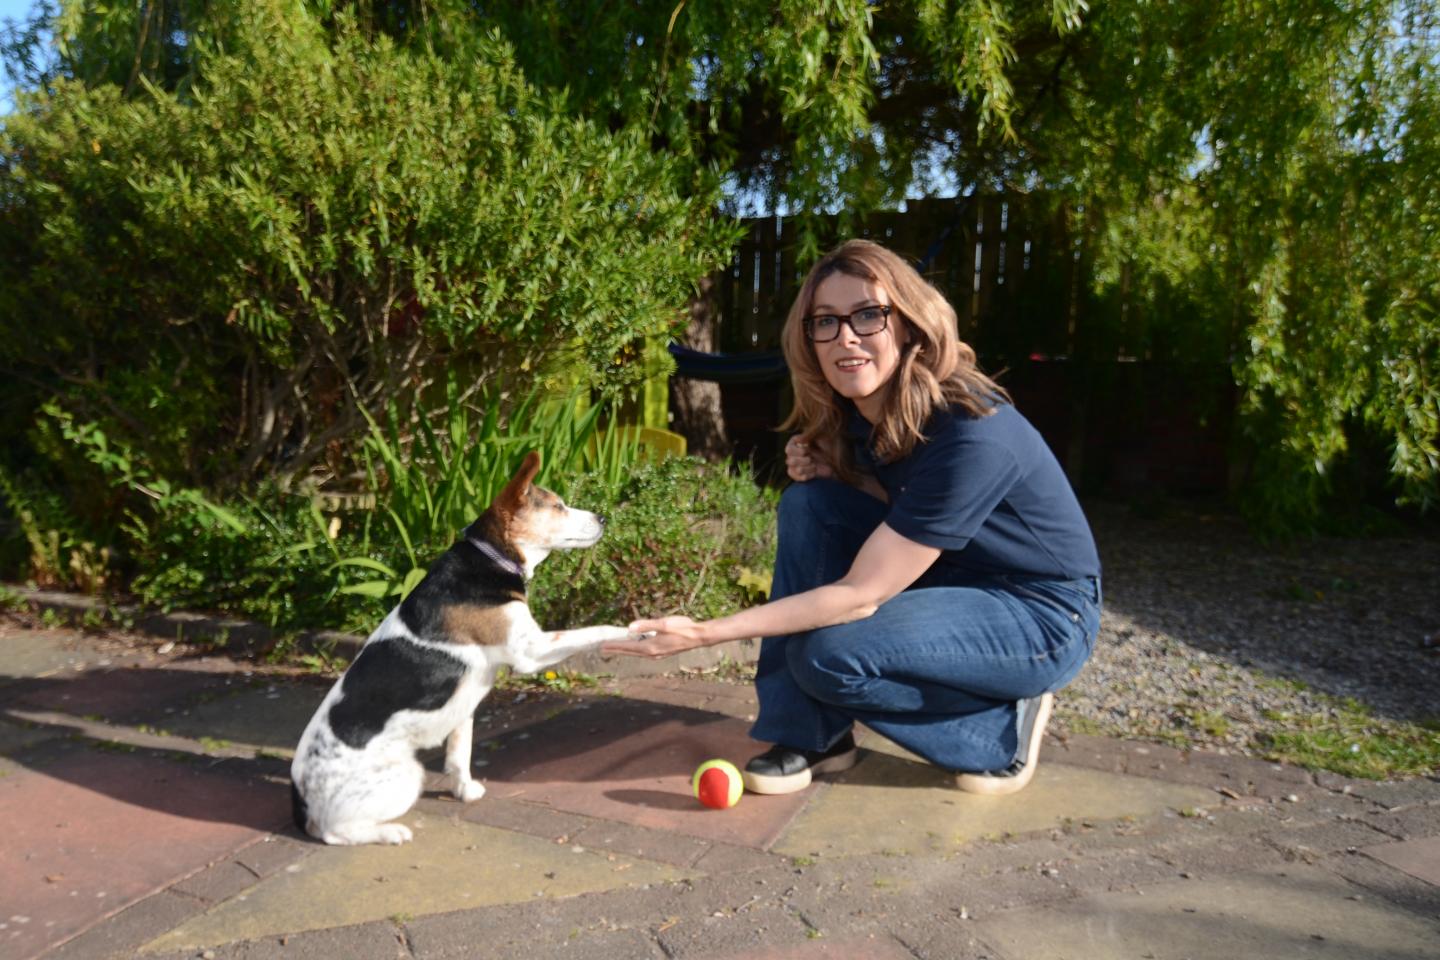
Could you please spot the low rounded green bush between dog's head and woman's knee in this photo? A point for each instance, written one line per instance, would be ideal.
(682, 536)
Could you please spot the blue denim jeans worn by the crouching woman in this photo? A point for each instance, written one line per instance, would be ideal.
(938, 669)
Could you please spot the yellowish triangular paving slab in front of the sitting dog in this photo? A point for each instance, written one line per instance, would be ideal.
(450, 866)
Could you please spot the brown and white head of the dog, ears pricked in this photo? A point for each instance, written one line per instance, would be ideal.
(534, 522)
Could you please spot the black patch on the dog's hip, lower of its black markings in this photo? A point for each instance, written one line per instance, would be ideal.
(388, 677)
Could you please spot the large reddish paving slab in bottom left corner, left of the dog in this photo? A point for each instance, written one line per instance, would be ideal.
(91, 831)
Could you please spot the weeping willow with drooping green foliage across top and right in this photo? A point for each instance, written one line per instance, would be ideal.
(1259, 175)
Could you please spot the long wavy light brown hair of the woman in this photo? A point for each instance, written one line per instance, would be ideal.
(937, 368)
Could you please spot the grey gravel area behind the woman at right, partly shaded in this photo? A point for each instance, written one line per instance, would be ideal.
(1210, 638)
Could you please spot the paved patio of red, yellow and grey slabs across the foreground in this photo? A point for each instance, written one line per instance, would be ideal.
(590, 844)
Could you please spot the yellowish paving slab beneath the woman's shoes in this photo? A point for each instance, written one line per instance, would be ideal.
(891, 802)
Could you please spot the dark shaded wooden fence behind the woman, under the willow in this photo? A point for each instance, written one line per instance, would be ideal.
(1078, 363)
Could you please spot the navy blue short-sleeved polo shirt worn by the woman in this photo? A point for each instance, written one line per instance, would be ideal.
(989, 493)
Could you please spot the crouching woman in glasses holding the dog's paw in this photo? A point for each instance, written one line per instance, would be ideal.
(935, 575)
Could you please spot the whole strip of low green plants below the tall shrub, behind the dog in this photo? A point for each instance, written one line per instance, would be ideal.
(682, 538)
